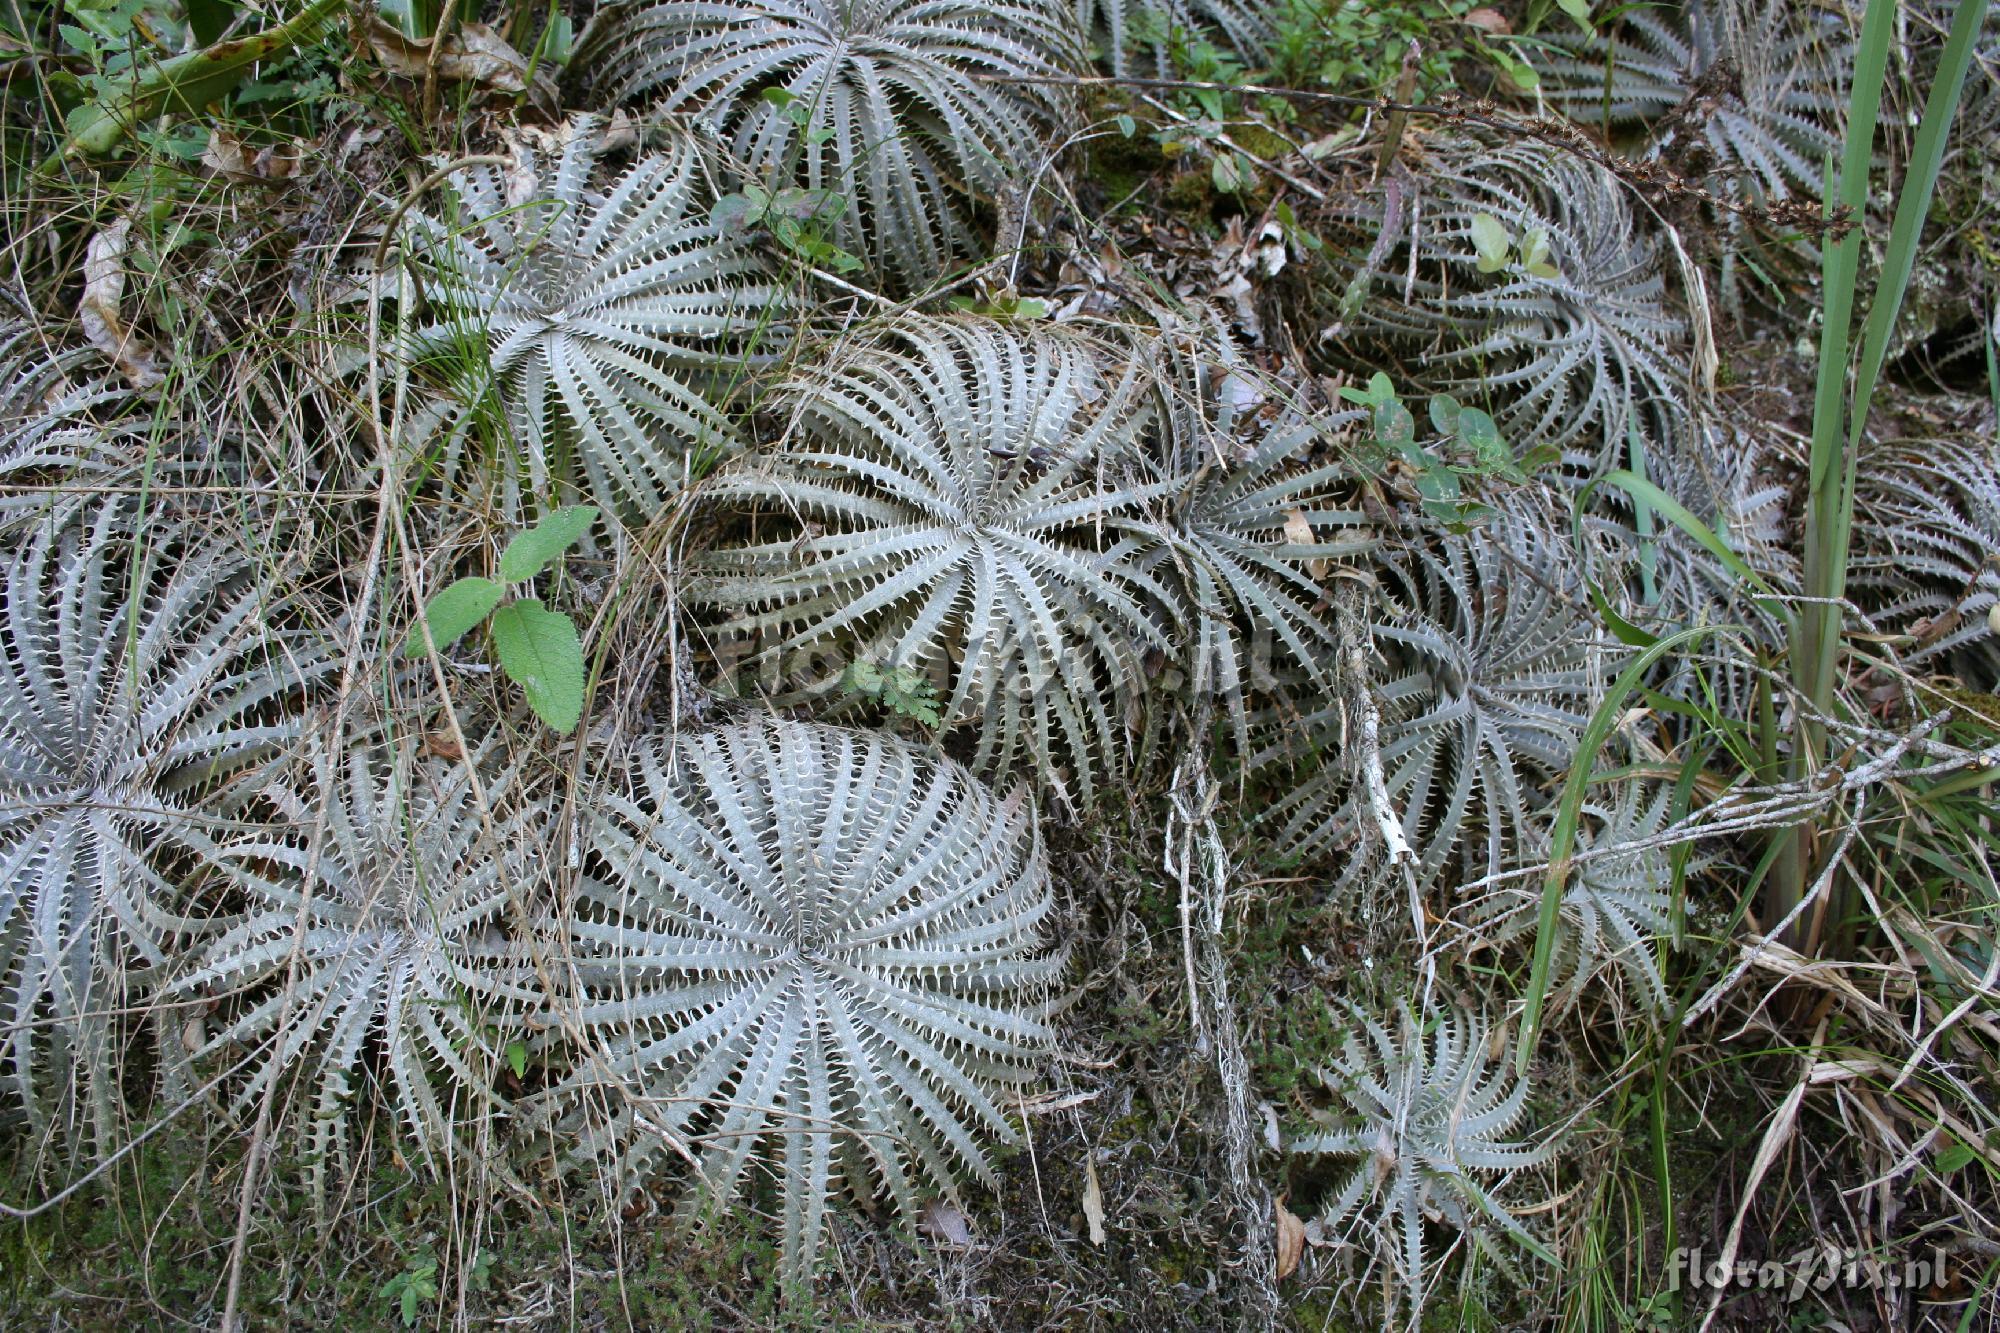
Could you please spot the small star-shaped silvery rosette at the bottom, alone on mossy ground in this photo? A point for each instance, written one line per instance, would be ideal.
(1429, 1114)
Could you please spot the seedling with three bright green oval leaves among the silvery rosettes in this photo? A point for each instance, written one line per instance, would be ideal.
(537, 647)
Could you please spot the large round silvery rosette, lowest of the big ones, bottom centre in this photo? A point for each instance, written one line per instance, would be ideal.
(811, 950)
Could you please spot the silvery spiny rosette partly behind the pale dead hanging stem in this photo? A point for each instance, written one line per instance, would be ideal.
(1489, 670)
